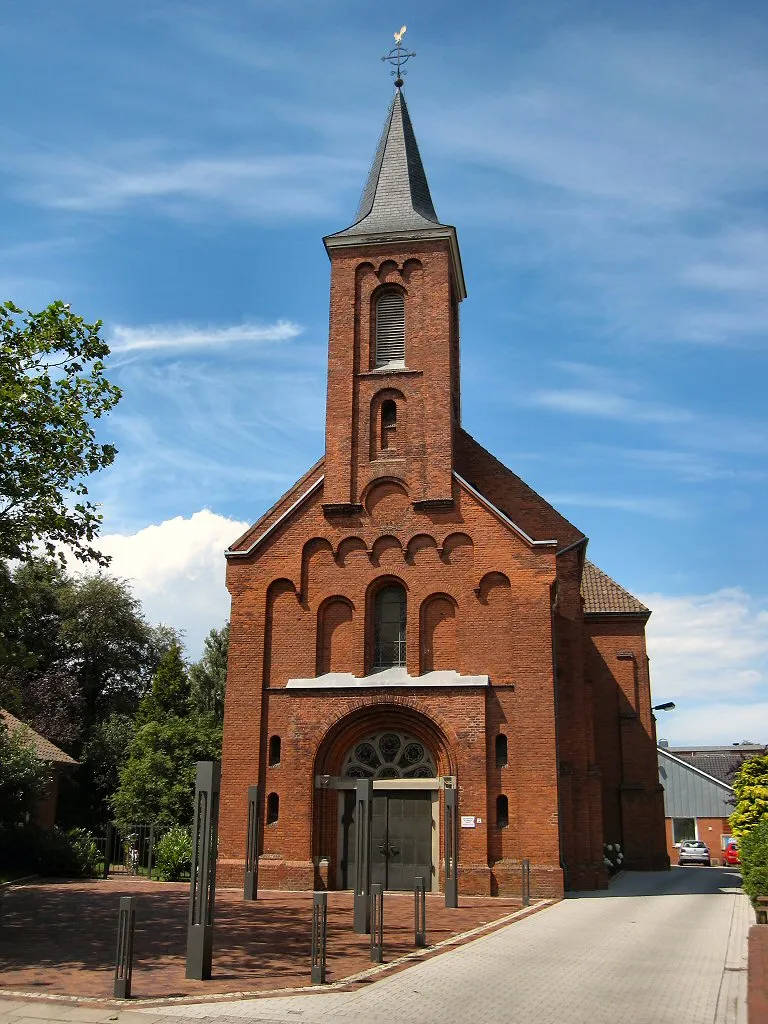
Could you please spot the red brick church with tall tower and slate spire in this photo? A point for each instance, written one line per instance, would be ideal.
(413, 614)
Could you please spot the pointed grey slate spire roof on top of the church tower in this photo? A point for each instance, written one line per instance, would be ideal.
(397, 196)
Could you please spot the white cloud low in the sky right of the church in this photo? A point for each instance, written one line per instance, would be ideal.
(709, 654)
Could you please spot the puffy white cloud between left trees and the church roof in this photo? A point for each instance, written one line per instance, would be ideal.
(177, 570)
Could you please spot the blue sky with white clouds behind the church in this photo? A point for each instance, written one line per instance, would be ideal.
(170, 168)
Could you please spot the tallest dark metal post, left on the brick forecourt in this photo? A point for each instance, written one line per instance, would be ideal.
(203, 882)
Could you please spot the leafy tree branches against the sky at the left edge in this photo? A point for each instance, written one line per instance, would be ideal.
(53, 389)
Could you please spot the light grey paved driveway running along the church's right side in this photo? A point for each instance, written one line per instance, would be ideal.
(657, 949)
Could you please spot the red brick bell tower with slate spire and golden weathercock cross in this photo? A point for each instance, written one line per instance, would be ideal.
(394, 381)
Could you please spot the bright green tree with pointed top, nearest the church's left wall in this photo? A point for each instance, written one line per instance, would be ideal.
(157, 782)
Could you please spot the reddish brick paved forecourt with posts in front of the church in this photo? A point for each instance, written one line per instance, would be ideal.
(59, 938)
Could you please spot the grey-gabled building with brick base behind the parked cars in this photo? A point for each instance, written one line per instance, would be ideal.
(697, 804)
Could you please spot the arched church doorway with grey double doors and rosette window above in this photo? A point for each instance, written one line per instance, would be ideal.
(405, 828)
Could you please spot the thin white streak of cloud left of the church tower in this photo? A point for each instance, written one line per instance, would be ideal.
(180, 336)
